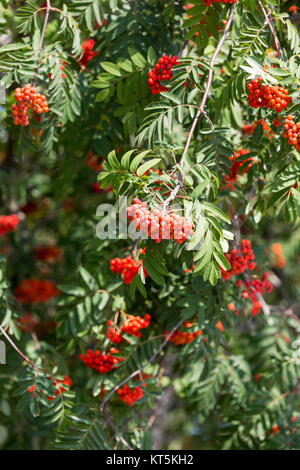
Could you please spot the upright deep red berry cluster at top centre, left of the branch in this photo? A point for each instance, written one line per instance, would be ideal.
(162, 71)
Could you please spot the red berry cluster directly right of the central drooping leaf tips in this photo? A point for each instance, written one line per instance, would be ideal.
(239, 261)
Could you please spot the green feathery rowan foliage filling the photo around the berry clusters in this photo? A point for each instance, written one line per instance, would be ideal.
(176, 151)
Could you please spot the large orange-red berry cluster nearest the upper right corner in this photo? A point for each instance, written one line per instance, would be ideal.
(266, 96)
